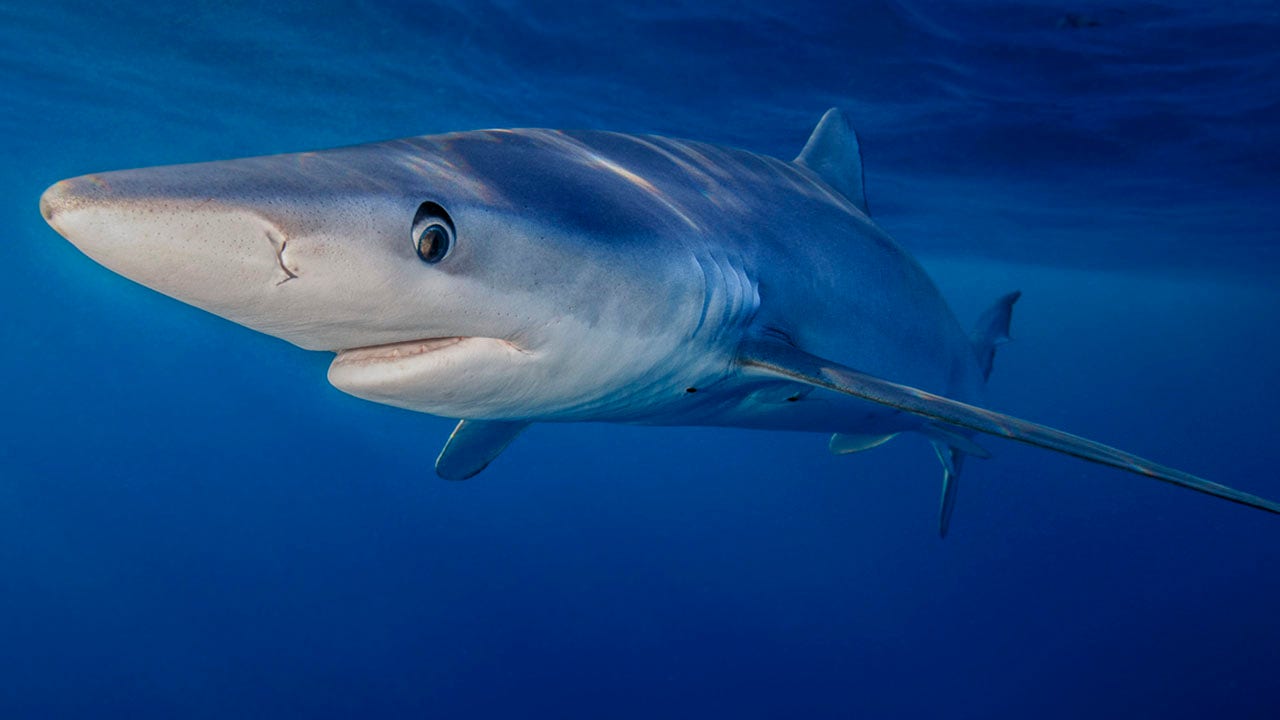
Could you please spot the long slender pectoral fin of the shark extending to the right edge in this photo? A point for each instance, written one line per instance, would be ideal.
(780, 361)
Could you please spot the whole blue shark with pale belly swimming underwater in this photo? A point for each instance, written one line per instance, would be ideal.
(508, 277)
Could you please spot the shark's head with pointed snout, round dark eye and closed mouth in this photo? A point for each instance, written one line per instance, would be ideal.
(479, 276)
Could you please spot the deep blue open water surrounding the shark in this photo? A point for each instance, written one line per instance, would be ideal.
(195, 525)
